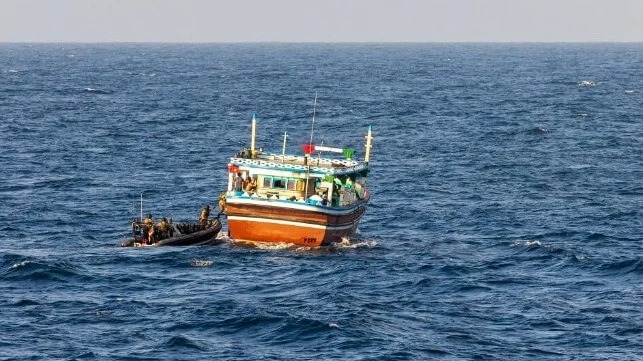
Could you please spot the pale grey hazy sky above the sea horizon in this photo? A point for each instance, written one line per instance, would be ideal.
(320, 20)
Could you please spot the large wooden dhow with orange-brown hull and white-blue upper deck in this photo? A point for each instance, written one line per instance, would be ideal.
(312, 199)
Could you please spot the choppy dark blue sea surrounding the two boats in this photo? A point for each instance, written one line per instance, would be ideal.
(506, 219)
